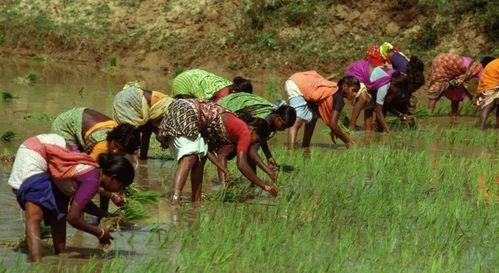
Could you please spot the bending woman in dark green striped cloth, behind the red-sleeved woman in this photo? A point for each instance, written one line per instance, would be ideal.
(248, 106)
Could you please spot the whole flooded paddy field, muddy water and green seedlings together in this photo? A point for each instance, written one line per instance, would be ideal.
(421, 200)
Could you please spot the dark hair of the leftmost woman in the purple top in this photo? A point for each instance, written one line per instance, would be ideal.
(117, 166)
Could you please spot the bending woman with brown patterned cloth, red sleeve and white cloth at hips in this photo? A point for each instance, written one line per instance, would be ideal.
(191, 128)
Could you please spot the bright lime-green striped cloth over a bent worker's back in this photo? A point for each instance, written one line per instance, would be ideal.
(198, 83)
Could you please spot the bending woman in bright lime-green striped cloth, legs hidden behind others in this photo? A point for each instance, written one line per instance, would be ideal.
(201, 84)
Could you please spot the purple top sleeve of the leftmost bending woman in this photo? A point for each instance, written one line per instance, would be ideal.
(88, 185)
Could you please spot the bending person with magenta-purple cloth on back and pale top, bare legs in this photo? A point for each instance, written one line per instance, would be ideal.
(380, 85)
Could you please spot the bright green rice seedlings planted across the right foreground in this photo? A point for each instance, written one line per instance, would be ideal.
(377, 208)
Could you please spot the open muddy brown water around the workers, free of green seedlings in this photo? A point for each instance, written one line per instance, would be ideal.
(63, 86)
